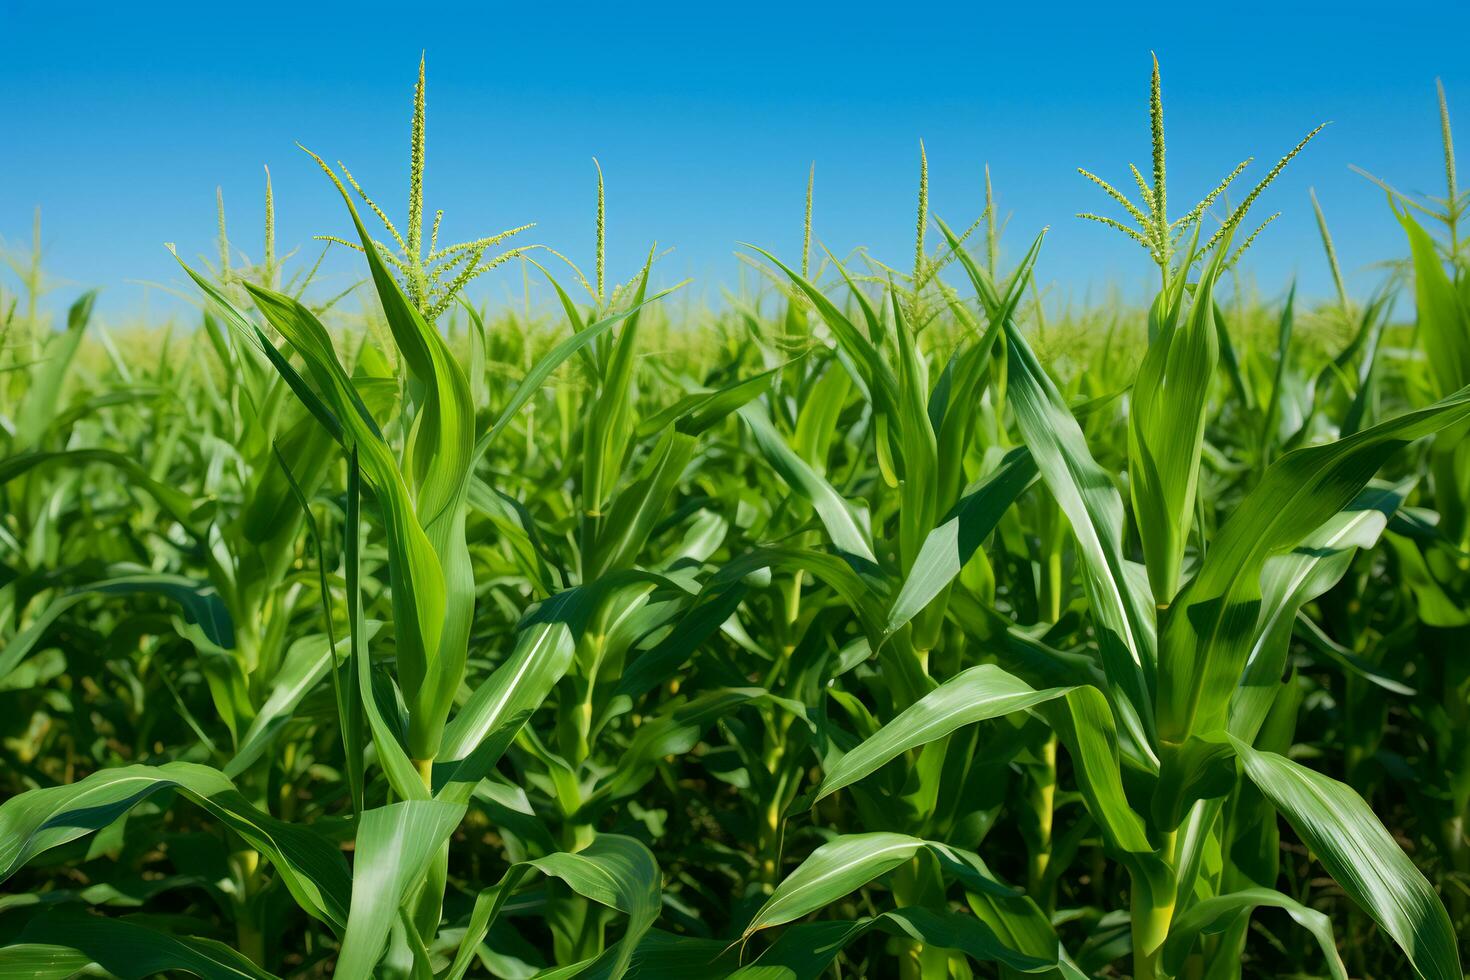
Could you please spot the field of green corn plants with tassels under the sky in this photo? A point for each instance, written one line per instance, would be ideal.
(874, 625)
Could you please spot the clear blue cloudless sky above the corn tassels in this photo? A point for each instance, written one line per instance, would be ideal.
(121, 120)
